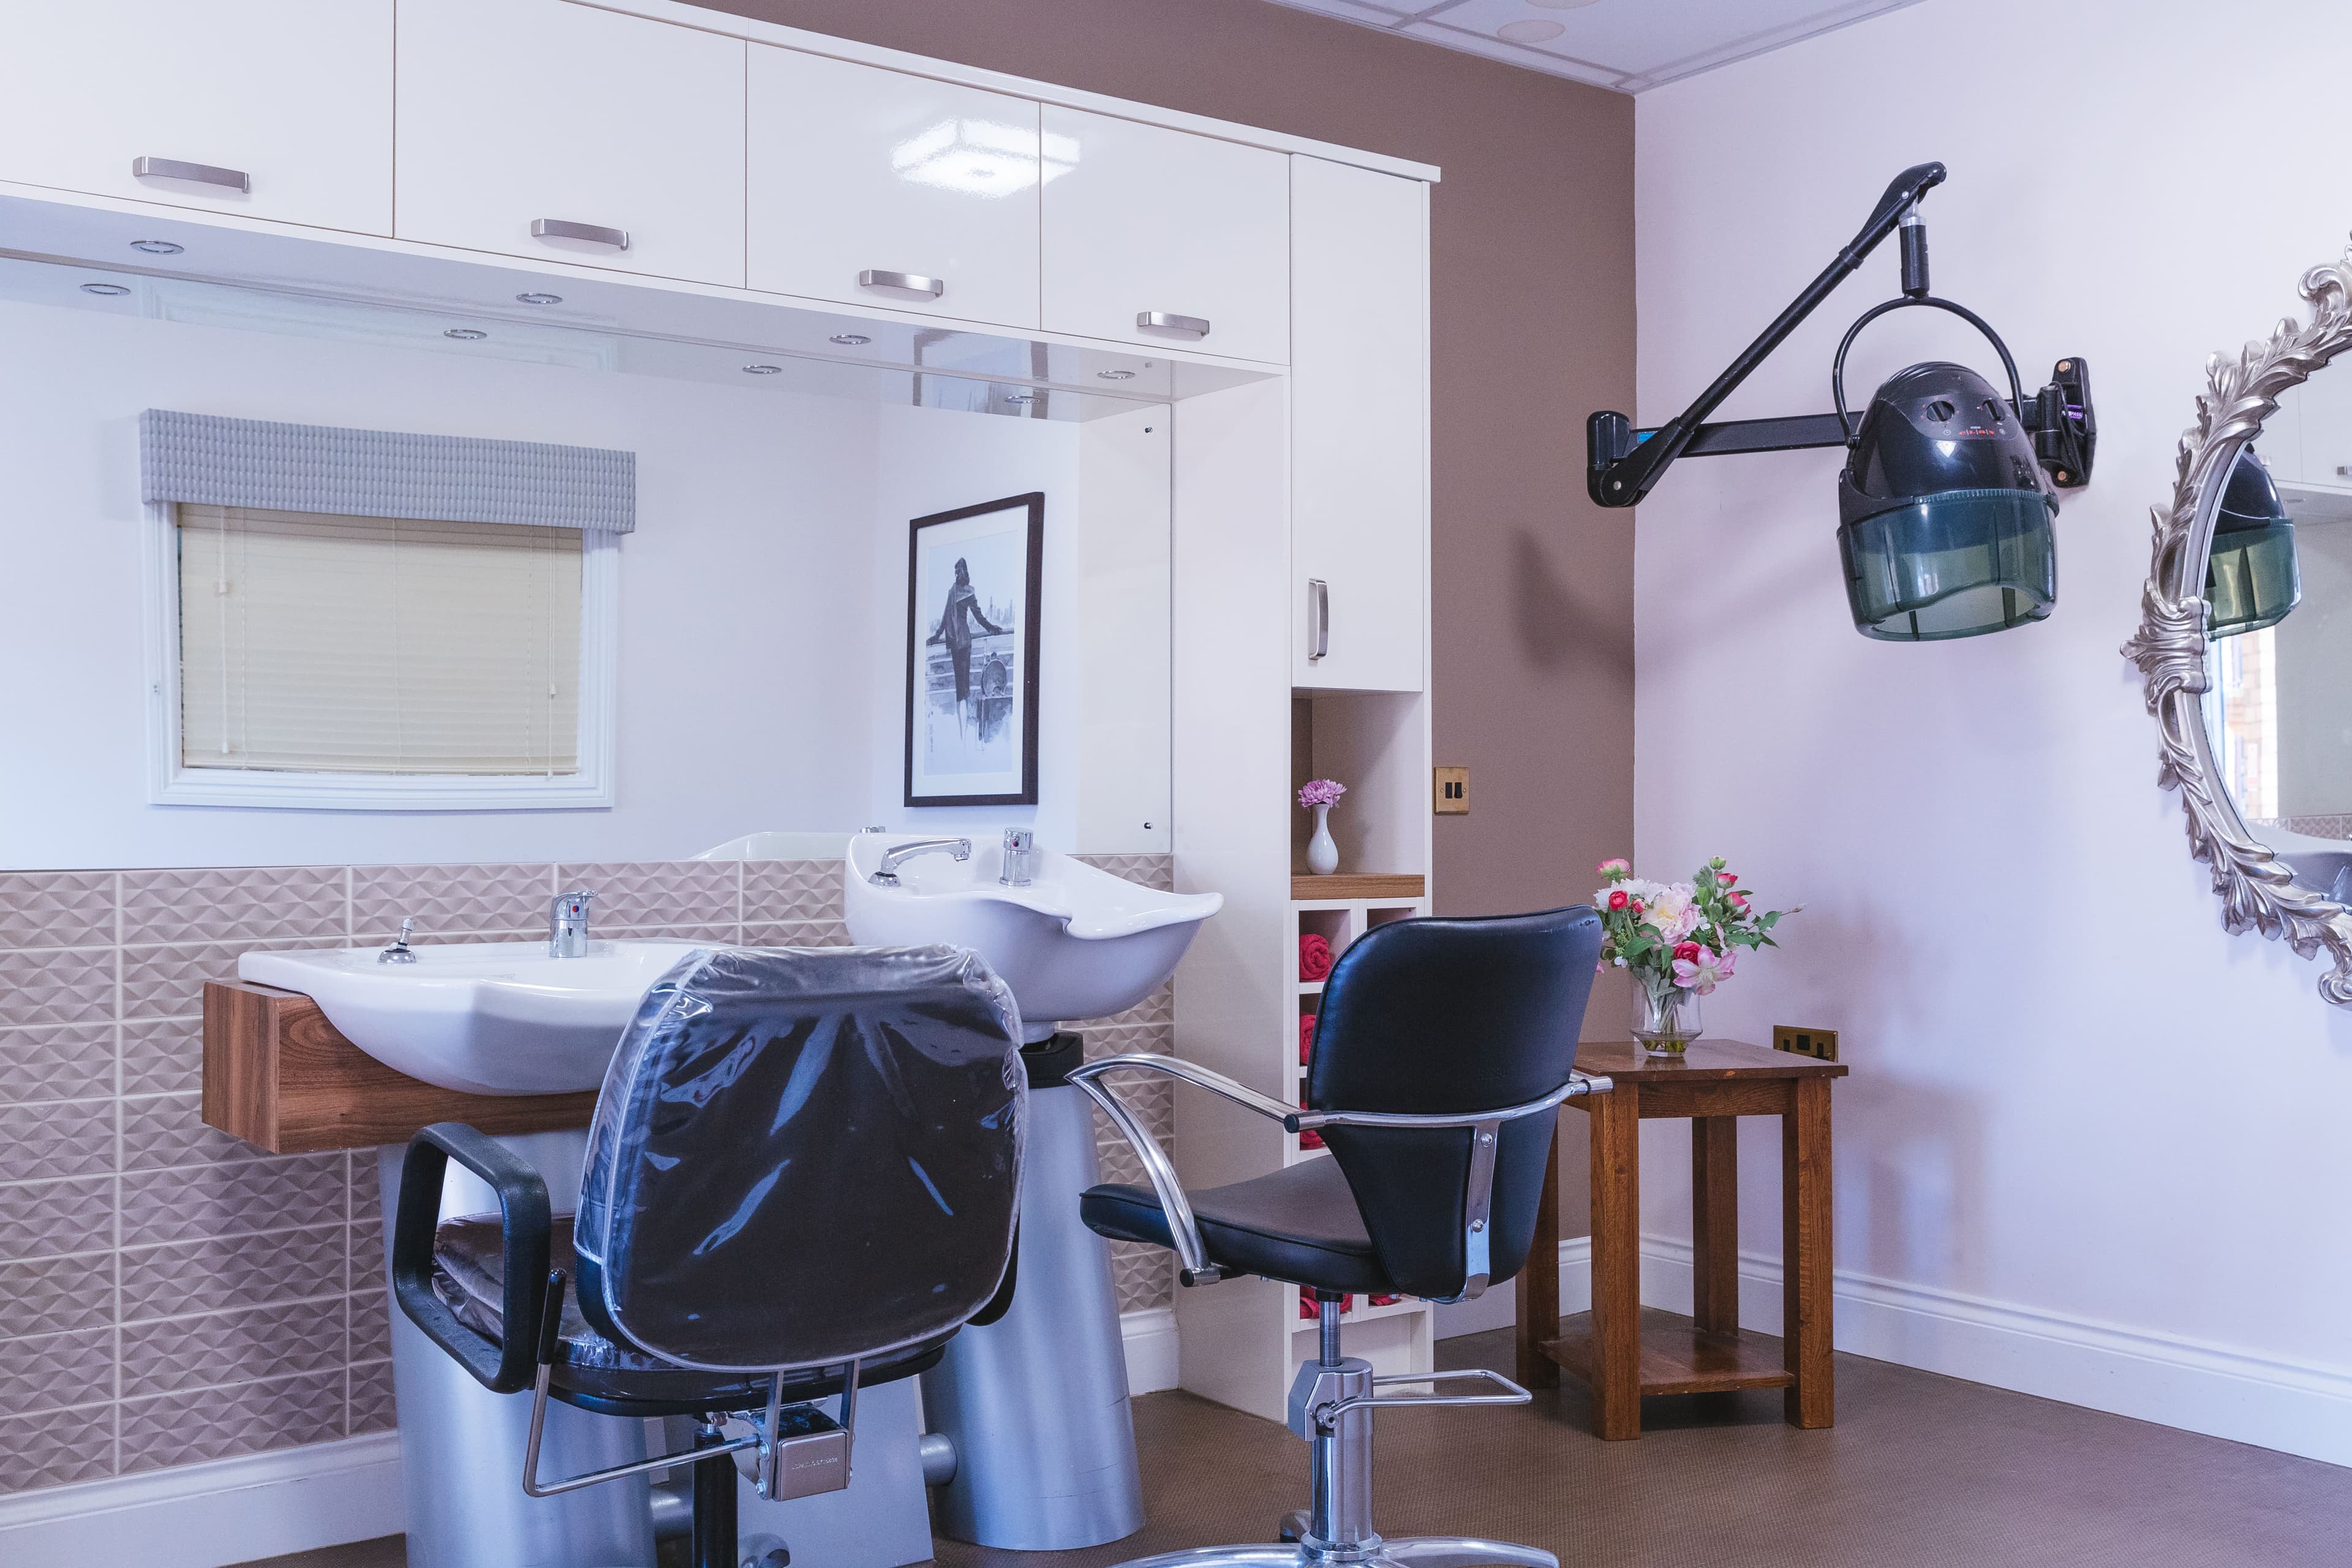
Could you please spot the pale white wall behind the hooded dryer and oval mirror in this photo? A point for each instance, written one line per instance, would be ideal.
(2083, 1118)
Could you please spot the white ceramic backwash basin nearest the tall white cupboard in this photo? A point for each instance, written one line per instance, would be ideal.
(1076, 944)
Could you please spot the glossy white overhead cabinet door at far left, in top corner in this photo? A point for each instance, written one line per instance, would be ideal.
(295, 98)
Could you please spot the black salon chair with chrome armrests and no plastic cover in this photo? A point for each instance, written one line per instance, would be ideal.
(1443, 1052)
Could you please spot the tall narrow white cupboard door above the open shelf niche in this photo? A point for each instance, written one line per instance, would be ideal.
(1361, 427)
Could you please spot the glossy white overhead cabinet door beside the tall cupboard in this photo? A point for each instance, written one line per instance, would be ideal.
(1151, 222)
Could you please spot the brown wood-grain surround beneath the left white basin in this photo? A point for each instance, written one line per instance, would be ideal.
(286, 1080)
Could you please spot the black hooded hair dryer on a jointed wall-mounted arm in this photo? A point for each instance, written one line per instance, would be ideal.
(1944, 507)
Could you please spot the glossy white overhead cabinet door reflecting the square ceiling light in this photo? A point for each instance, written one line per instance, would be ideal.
(874, 173)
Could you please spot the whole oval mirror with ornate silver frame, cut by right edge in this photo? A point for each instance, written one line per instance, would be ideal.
(2247, 636)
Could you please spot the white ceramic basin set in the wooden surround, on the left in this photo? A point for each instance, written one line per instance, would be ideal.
(493, 1019)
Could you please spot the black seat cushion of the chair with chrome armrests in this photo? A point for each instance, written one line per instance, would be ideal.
(1299, 1226)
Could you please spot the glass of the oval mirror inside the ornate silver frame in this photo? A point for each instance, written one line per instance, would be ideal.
(2280, 634)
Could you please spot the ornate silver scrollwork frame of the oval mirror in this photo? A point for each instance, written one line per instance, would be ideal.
(2257, 887)
